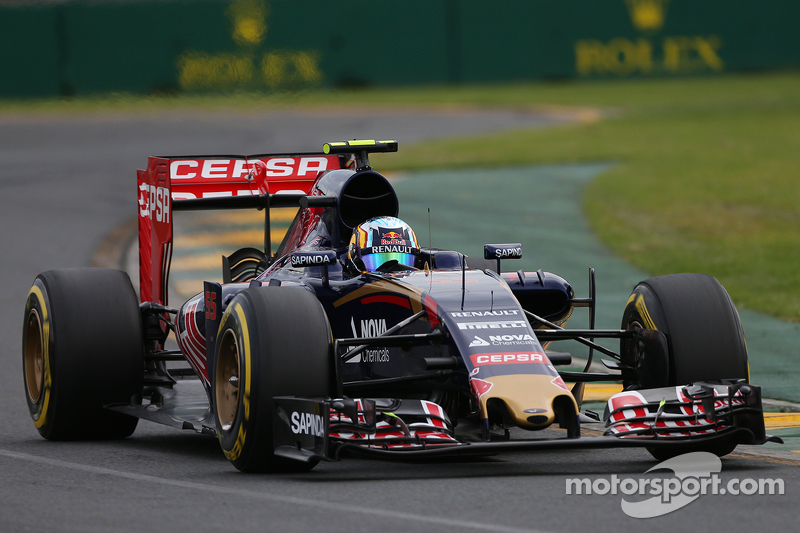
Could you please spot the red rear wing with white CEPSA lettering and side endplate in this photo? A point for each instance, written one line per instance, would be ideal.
(197, 177)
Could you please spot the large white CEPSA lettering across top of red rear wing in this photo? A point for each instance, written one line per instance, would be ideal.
(240, 169)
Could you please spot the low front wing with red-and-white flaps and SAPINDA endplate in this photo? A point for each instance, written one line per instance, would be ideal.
(702, 414)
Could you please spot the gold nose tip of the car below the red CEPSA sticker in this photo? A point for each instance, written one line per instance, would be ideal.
(526, 399)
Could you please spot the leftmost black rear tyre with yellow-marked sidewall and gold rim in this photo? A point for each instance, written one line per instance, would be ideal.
(82, 349)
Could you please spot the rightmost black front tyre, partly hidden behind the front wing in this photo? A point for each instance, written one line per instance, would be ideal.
(704, 336)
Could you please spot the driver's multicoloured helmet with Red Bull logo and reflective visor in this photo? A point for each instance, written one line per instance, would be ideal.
(383, 243)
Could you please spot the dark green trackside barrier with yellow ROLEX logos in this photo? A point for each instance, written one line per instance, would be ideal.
(148, 46)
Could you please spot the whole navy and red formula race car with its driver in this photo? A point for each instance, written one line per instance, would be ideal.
(354, 338)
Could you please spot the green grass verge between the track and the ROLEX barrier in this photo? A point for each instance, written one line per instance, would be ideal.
(708, 178)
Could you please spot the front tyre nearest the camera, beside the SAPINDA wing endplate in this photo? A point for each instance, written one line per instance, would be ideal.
(272, 341)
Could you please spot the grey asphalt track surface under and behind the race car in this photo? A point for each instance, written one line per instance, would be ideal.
(65, 183)
